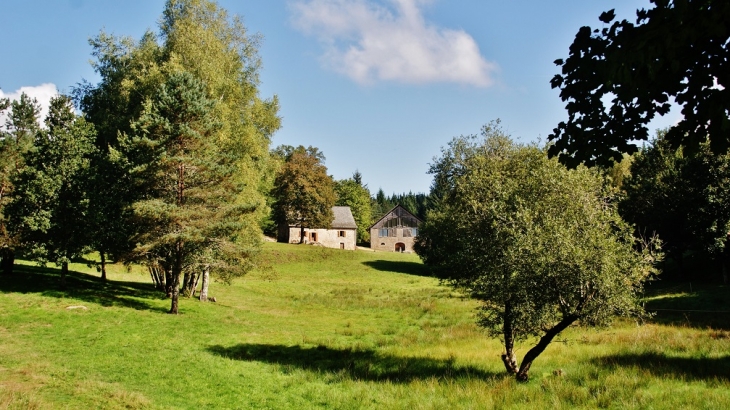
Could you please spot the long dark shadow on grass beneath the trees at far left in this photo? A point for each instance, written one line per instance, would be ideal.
(46, 281)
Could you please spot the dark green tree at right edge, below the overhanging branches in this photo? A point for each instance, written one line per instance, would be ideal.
(682, 197)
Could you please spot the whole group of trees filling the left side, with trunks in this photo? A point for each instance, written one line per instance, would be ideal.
(166, 166)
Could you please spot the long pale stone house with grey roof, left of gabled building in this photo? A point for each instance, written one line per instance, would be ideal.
(342, 234)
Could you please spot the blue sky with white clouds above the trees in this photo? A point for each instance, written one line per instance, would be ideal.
(380, 86)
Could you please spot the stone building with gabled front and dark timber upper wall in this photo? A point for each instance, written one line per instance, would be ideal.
(395, 231)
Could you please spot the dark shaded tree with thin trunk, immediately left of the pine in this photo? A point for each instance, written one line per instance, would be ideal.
(129, 73)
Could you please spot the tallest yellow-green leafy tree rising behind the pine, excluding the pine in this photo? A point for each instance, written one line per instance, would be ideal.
(199, 38)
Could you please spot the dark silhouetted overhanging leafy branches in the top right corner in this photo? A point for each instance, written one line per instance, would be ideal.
(676, 50)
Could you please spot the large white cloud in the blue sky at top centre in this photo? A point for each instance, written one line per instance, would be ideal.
(369, 42)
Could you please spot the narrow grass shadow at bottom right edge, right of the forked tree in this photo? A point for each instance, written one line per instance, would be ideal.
(661, 365)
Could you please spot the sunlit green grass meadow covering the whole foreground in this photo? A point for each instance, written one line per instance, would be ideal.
(332, 329)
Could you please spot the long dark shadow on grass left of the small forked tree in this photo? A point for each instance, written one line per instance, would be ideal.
(366, 365)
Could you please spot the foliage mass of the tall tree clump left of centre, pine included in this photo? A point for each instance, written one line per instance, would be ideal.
(186, 100)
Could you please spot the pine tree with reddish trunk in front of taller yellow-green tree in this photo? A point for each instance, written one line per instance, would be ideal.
(191, 201)
